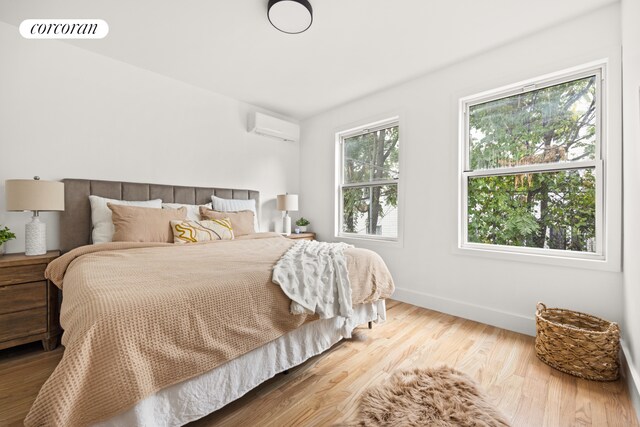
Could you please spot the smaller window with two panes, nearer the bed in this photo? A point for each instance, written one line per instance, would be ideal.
(368, 176)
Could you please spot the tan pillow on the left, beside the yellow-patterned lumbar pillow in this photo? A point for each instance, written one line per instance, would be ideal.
(136, 224)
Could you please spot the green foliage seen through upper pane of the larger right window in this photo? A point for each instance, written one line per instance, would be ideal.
(549, 125)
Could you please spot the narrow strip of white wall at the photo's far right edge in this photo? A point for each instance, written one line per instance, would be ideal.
(631, 137)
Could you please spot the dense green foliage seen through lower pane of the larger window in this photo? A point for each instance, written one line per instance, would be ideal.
(544, 210)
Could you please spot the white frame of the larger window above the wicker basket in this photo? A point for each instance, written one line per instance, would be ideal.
(597, 69)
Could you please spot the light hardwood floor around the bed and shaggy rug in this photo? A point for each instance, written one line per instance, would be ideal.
(325, 389)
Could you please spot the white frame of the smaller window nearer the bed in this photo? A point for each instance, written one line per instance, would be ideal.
(340, 136)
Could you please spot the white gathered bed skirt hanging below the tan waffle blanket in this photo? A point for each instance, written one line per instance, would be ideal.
(199, 396)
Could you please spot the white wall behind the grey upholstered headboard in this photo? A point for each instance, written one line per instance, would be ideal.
(69, 113)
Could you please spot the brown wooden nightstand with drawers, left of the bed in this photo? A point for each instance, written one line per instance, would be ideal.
(28, 302)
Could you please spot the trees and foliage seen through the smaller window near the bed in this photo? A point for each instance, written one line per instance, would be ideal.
(369, 158)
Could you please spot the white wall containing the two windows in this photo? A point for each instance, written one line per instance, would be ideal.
(427, 269)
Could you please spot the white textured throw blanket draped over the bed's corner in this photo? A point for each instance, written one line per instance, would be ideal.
(314, 275)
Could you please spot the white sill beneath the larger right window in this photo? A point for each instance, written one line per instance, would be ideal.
(595, 262)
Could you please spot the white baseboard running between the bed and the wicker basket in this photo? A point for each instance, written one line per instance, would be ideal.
(502, 319)
